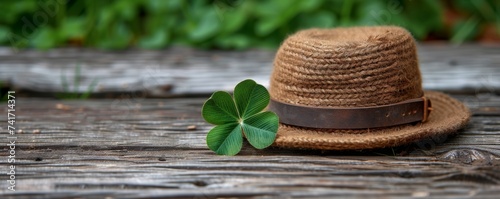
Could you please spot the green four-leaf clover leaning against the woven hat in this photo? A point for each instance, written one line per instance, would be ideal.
(240, 116)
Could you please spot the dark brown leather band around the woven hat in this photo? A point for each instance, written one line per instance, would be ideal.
(405, 112)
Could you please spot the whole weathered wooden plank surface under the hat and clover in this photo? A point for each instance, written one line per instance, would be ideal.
(130, 146)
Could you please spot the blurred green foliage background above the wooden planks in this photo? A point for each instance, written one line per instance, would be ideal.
(228, 24)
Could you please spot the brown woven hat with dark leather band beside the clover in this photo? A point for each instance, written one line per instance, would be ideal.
(342, 89)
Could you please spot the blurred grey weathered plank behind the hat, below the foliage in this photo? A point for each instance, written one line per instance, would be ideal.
(469, 68)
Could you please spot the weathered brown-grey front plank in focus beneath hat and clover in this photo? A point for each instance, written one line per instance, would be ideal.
(145, 148)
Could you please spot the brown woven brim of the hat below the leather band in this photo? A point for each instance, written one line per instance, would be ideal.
(448, 116)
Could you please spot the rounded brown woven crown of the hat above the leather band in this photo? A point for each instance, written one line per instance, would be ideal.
(347, 67)
